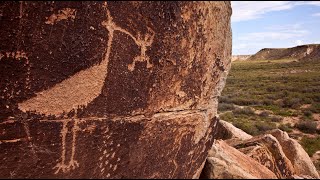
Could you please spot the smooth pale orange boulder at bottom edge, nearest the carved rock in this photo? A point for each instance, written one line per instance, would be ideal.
(225, 162)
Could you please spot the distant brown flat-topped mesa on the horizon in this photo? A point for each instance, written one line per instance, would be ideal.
(303, 52)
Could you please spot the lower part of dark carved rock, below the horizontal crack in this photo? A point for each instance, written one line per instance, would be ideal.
(108, 149)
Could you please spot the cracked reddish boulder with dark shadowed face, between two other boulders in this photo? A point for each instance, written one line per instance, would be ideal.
(266, 150)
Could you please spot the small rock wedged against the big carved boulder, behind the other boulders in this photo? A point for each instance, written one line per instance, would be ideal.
(226, 130)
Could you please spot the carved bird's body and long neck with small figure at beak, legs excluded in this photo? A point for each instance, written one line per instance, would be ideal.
(86, 85)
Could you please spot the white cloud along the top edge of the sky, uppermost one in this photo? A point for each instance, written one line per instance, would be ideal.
(248, 10)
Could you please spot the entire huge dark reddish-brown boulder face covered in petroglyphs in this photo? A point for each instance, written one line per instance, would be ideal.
(110, 90)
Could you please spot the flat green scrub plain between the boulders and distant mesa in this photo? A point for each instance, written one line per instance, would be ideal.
(278, 89)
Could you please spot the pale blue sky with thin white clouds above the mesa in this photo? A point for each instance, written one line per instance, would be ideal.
(273, 24)
